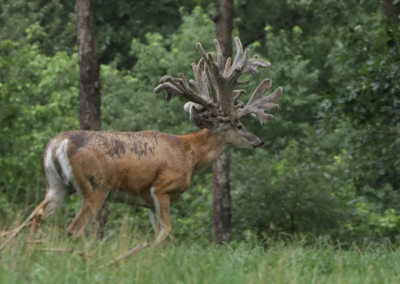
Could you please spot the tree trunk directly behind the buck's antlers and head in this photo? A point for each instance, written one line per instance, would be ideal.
(222, 209)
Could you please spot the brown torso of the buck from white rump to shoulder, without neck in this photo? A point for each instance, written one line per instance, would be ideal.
(130, 162)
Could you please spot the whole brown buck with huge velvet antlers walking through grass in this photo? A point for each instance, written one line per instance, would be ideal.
(151, 168)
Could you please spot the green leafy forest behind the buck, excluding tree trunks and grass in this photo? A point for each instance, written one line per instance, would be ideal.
(330, 166)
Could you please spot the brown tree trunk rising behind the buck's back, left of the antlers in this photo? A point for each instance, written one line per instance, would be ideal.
(89, 81)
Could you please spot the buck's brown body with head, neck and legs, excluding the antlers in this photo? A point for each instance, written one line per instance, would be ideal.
(148, 168)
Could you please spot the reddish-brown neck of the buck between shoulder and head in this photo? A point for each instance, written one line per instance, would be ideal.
(205, 146)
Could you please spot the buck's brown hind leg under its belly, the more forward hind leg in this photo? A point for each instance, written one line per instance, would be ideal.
(90, 206)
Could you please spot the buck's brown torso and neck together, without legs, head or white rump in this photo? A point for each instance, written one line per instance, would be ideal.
(132, 163)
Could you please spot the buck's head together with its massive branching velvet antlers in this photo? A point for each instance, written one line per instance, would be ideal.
(216, 105)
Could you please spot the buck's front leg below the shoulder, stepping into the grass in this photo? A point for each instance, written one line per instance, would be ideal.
(161, 214)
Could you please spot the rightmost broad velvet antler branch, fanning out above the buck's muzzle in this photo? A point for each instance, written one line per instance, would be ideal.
(258, 103)
